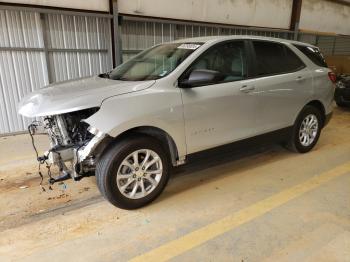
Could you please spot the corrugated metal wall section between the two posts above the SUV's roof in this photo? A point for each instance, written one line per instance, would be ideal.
(141, 33)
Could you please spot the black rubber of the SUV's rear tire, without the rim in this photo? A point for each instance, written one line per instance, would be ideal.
(294, 144)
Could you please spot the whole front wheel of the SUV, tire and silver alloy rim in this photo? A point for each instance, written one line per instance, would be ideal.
(117, 162)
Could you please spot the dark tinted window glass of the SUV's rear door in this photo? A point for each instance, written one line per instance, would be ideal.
(274, 58)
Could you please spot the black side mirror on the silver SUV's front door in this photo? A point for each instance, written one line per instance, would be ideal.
(200, 77)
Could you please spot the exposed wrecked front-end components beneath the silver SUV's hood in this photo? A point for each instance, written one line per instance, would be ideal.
(74, 145)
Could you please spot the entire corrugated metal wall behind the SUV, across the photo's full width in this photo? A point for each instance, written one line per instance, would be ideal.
(40, 46)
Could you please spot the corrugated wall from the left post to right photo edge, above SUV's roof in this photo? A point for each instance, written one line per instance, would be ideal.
(139, 33)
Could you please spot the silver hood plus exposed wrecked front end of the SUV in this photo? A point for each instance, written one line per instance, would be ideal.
(63, 108)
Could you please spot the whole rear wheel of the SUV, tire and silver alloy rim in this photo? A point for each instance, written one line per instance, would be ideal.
(298, 141)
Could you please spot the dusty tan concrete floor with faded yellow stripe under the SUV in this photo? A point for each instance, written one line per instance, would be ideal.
(263, 205)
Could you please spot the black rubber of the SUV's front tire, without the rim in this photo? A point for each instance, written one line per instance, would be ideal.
(108, 164)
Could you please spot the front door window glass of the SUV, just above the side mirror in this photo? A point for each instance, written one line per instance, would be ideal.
(228, 59)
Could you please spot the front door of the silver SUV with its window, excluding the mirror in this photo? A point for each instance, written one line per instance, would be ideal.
(220, 112)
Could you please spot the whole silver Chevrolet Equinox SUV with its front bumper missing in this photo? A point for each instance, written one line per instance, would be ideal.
(130, 125)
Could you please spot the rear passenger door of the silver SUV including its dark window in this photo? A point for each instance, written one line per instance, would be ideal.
(282, 85)
